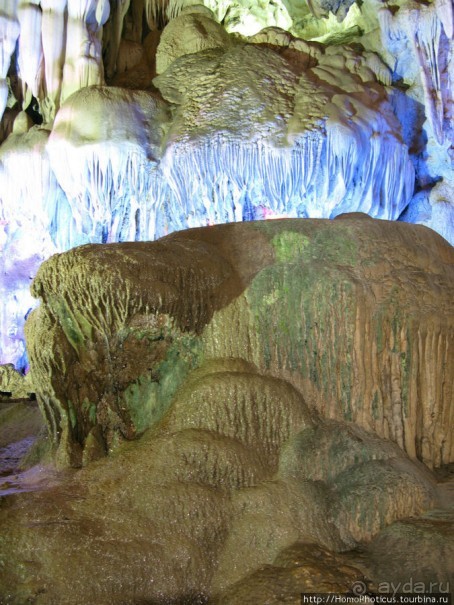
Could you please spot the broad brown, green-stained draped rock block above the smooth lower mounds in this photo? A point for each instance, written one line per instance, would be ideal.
(355, 313)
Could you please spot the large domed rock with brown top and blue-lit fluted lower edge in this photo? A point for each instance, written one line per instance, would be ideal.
(306, 139)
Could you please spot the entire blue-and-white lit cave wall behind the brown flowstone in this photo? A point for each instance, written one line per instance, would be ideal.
(129, 120)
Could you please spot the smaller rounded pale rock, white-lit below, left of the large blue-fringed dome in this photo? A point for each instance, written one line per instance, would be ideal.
(107, 167)
